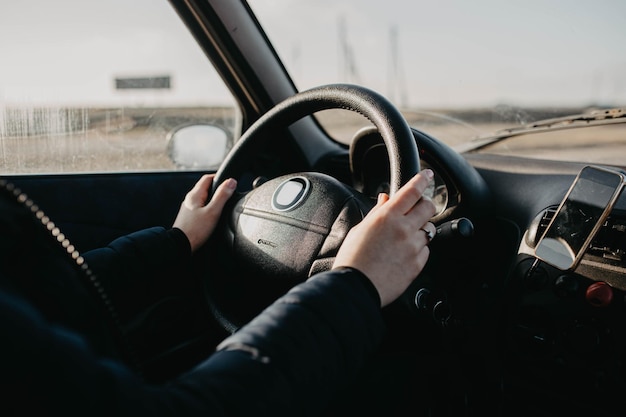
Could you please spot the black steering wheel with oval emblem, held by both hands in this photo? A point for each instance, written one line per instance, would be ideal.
(291, 227)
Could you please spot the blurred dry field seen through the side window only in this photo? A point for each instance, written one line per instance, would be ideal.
(96, 140)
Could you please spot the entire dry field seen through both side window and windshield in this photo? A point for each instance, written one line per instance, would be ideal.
(96, 140)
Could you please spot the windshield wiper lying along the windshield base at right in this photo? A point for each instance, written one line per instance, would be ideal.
(596, 117)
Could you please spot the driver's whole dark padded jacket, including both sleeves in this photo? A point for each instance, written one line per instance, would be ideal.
(287, 361)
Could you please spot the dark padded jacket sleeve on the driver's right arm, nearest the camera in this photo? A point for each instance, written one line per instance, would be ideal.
(301, 349)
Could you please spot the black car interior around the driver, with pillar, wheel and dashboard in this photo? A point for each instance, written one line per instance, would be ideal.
(505, 319)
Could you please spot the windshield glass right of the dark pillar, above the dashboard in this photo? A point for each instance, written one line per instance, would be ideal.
(459, 70)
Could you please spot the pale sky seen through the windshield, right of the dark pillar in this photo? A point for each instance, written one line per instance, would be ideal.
(458, 51)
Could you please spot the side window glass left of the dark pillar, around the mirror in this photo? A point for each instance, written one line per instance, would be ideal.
(93, 86)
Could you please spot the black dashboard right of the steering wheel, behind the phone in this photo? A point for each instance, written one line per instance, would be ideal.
(561, 333)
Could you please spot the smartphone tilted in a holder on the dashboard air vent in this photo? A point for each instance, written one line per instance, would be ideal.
(582, 212)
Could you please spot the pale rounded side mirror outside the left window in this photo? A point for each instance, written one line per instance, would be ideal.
(197, 146)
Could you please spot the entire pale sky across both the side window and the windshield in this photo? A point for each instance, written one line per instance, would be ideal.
(448, 53)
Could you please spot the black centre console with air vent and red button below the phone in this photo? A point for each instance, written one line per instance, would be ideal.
(568, 325)
